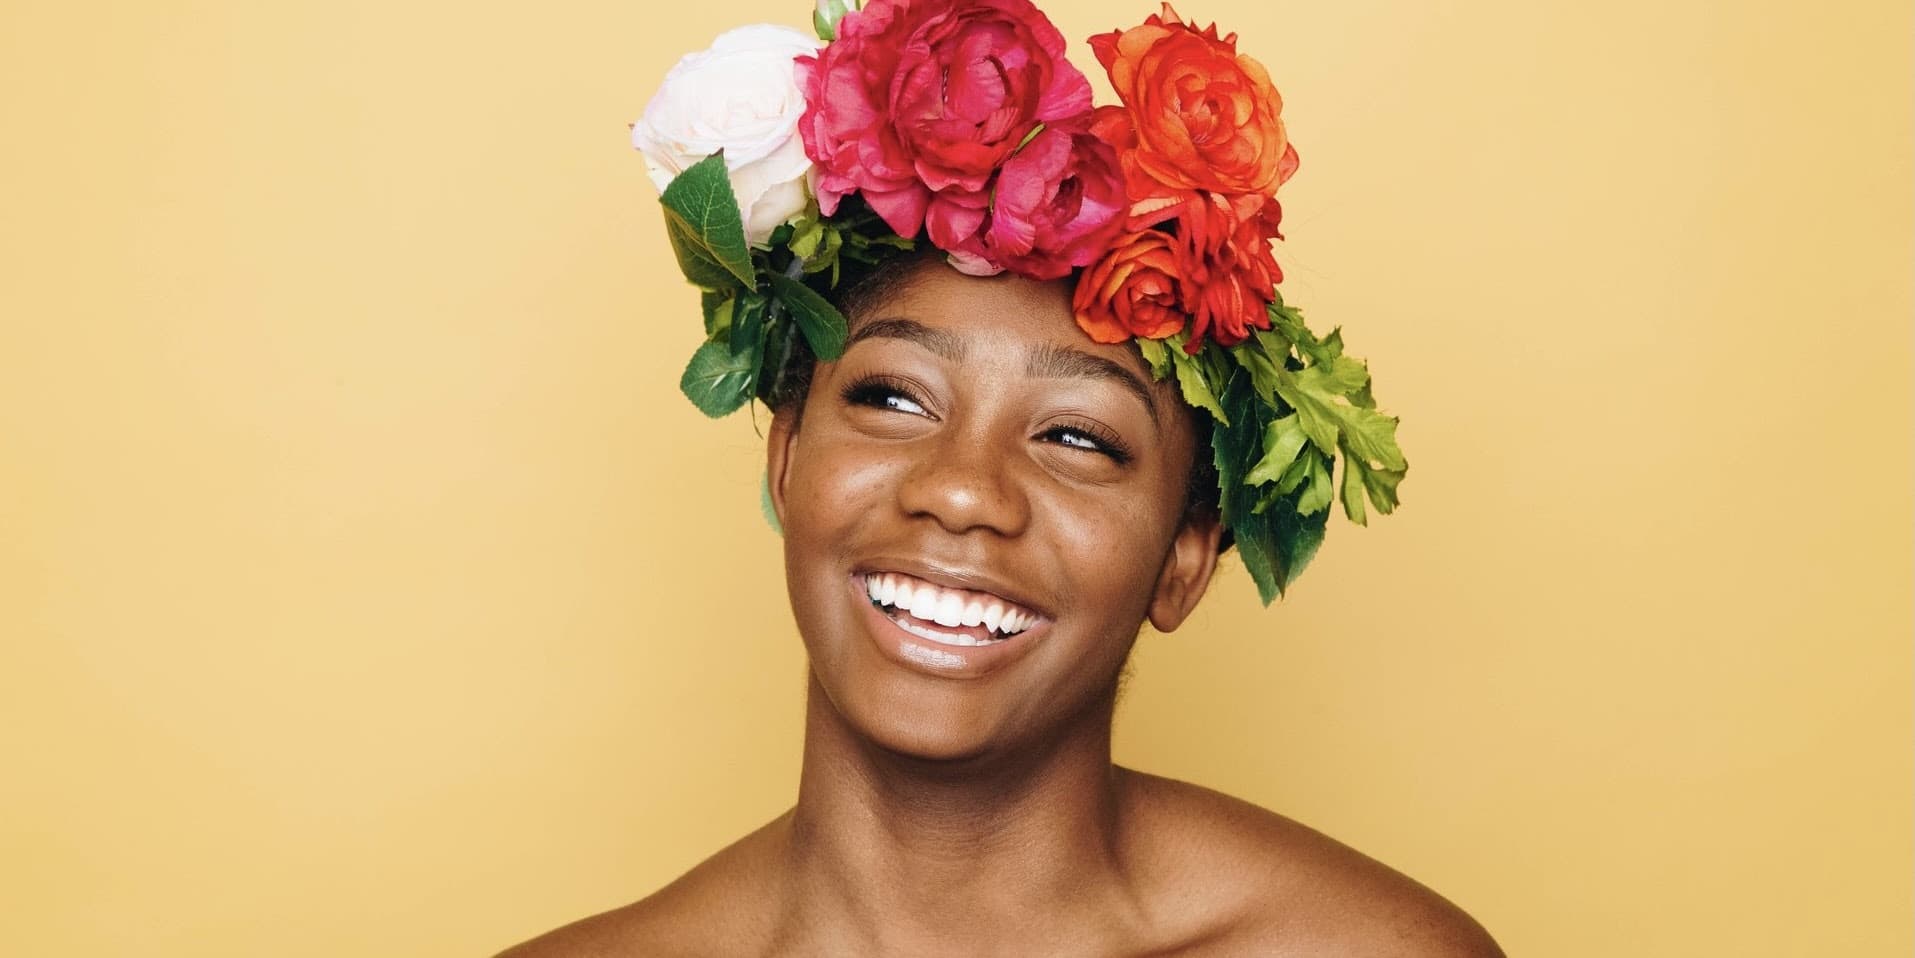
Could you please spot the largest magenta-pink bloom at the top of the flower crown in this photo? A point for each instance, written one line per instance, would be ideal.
(920, 97)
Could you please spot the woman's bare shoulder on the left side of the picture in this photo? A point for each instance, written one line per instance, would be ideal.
(677, 921)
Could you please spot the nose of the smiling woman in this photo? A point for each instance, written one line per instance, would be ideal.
(966, 484)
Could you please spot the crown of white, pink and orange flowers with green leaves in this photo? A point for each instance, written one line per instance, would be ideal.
(784, 162)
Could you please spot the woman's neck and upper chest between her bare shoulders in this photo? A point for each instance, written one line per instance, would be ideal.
(901, 855)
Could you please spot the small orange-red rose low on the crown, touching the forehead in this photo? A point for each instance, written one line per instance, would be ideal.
(1135, 290)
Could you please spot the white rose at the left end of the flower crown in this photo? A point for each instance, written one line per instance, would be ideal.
(740, 97)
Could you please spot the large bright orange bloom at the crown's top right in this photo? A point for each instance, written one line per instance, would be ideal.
(1204, 116)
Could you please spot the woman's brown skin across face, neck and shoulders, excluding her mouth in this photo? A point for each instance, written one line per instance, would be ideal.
(968, 806)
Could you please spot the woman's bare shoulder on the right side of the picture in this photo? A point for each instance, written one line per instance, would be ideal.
(1274, 886)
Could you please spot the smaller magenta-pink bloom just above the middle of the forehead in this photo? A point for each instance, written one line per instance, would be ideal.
(1056, 206)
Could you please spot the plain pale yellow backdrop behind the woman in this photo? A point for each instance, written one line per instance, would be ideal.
(367, 587)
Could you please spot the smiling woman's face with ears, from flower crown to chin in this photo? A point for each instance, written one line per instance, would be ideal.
(1014, 497)
